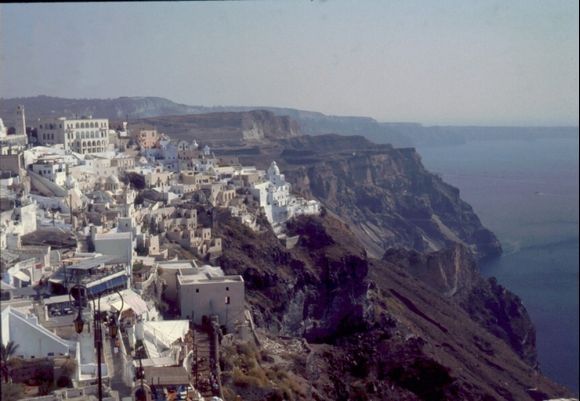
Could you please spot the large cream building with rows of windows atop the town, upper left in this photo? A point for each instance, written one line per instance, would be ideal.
(85, 135)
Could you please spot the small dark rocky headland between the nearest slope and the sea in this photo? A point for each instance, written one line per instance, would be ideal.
(452, 272)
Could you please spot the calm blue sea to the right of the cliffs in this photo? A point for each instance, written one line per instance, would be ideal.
(527, 193)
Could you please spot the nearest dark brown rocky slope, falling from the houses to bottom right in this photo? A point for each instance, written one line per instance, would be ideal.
(375, 331)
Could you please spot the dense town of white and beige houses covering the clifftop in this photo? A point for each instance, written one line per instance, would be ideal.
(123, 200)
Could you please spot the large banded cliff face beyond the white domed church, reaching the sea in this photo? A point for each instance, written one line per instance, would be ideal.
(386, 195)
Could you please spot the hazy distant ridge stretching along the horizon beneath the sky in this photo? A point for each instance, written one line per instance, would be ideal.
(309, 122)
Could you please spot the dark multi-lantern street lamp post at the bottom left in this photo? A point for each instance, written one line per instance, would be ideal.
(79, 323)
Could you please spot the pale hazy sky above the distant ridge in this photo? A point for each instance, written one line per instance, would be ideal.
(435, 62)
